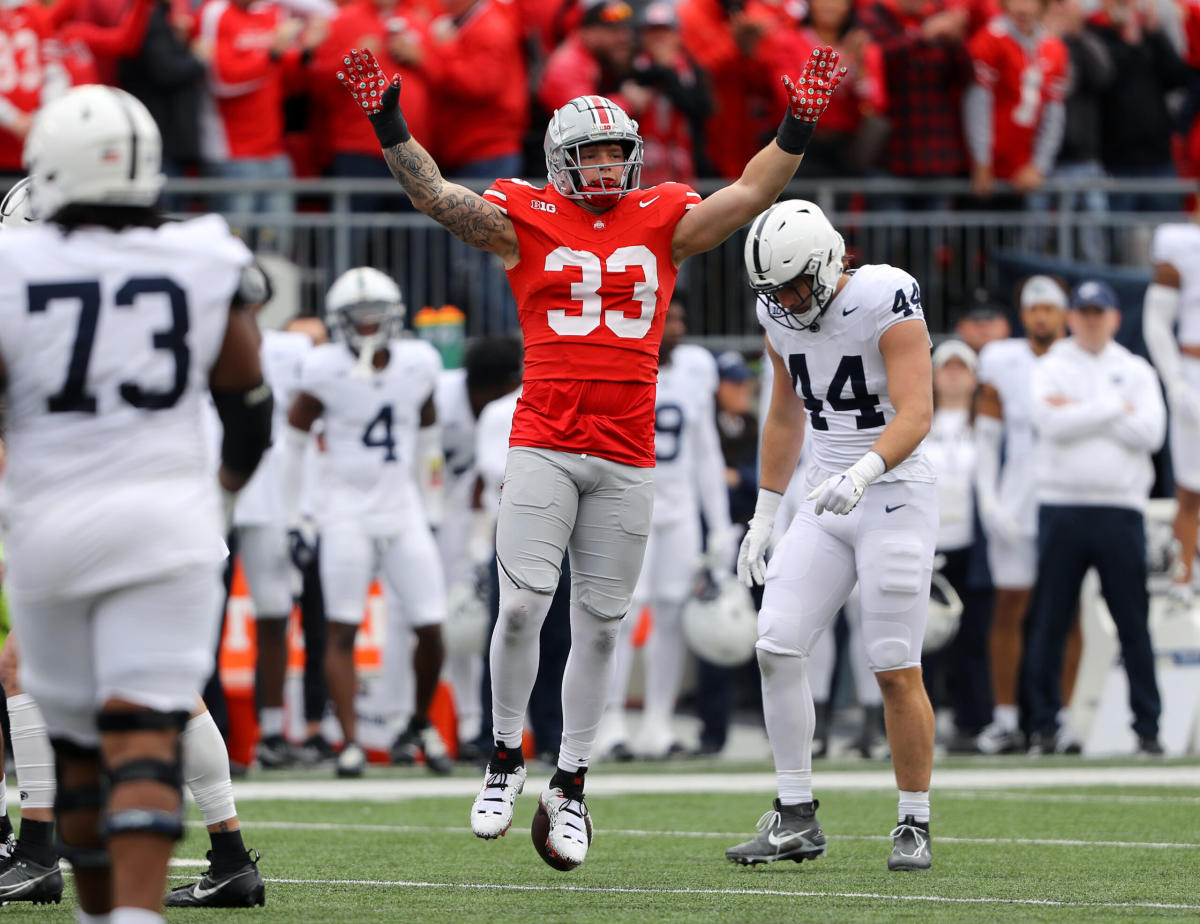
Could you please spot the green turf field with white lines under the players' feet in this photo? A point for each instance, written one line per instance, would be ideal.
(1003, 851)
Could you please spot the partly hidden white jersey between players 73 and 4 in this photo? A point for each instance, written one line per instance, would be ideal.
(283, 355)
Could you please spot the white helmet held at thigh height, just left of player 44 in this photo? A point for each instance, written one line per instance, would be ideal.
(719, 622)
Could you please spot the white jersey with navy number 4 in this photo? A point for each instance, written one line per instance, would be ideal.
(370, 433)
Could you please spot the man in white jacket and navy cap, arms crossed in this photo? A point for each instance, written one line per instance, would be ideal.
(1100, 415)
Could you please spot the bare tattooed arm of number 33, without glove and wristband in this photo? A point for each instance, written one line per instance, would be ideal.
(469, 217)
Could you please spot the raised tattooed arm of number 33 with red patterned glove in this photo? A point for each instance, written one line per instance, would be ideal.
(464, 213)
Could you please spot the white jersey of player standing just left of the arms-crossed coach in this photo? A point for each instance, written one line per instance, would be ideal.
(1007, 365)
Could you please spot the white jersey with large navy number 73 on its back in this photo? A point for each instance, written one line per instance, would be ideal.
(109, 340)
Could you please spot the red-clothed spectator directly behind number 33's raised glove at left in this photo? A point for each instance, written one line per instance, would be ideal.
(399, 40)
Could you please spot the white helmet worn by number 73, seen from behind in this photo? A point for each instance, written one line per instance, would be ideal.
(94, 146)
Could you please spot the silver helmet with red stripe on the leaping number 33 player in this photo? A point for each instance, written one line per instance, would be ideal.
(591, 121)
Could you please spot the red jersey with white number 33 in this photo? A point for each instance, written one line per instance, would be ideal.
(592, 293)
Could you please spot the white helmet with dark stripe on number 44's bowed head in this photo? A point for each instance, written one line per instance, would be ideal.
(790, 241)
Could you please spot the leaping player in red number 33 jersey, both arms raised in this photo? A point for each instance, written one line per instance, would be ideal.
(592, 260)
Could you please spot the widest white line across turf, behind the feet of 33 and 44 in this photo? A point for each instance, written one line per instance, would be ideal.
(628, 784)
